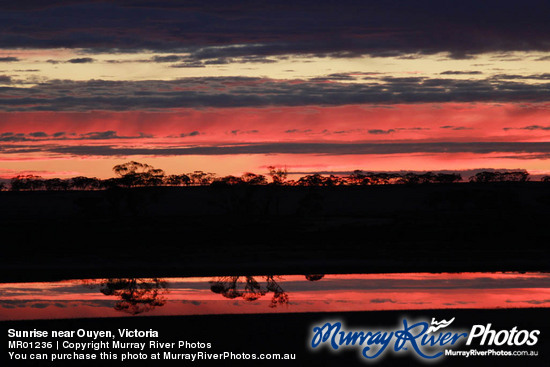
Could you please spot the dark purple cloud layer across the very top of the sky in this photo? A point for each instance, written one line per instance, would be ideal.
(344, 28)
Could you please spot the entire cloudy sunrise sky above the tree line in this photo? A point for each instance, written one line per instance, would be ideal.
(236, 86)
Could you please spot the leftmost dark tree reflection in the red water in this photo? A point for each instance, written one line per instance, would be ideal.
(136, 295)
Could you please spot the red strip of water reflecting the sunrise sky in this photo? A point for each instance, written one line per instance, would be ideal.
(266, 294)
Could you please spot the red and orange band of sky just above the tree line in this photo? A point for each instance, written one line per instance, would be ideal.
(49, 136)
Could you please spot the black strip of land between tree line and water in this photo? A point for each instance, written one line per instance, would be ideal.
(178, 231)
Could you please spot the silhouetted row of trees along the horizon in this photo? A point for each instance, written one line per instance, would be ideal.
(136, 174)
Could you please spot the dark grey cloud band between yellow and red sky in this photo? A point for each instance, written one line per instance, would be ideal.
(225, 92)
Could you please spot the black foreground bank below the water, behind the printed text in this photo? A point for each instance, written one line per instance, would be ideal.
(291, 333)
